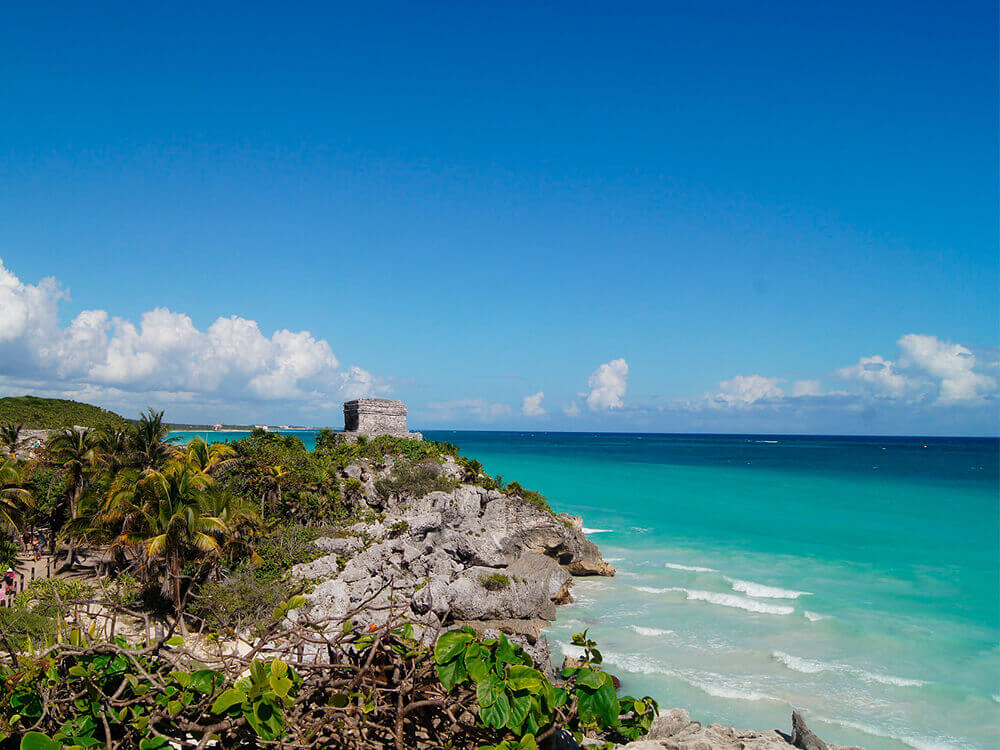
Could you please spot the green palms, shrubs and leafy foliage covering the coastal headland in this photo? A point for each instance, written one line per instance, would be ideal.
(206, 536)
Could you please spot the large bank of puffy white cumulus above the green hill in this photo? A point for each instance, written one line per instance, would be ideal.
(164, 353)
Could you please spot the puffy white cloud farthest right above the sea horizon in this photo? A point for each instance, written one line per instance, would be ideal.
(951, 364)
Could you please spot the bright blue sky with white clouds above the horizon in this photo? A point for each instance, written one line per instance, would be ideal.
(662, 217)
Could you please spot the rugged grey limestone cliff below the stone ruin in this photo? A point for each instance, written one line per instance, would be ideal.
(462, 555)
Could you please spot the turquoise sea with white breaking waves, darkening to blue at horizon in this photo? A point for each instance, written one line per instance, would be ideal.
(856, 579)
